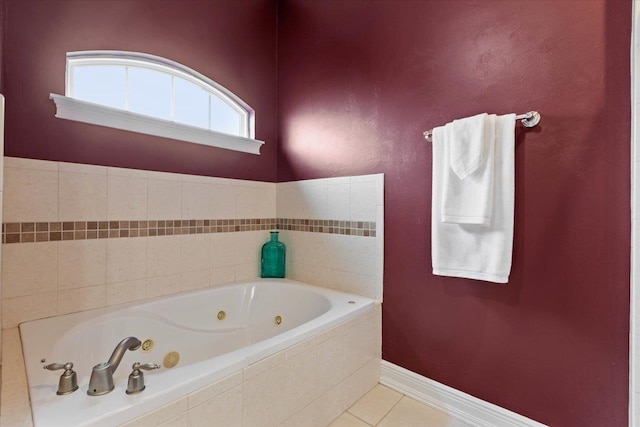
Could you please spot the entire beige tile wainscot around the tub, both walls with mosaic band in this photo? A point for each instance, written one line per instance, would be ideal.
(78, 237)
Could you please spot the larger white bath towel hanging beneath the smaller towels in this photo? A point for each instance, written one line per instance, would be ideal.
(475, 251)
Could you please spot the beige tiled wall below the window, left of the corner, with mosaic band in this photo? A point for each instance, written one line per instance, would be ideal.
(72, 270)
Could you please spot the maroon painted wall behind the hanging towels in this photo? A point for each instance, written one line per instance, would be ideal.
(358, 83)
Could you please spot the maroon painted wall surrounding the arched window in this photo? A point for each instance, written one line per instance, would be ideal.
(233, 42)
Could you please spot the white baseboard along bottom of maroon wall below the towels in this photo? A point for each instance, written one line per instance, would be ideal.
(462, 406)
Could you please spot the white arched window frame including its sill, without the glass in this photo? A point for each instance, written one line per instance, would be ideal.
(67, 107)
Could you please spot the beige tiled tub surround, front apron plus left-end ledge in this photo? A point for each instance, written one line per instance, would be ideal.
(309, 384)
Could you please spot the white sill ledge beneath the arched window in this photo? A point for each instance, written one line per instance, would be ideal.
(87, 112)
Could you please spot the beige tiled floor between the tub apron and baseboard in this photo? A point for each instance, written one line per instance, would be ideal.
(383, 407)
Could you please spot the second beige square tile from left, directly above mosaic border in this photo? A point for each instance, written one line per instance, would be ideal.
(82, 197)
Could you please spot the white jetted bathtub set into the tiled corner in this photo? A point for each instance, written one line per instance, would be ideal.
(209, 349)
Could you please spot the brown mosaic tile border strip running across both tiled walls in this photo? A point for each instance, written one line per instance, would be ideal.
(28, 232)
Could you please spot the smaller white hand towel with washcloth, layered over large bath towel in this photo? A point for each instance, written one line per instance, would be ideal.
(468, 181)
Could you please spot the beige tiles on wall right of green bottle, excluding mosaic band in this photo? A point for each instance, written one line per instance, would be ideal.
(350, 263)
